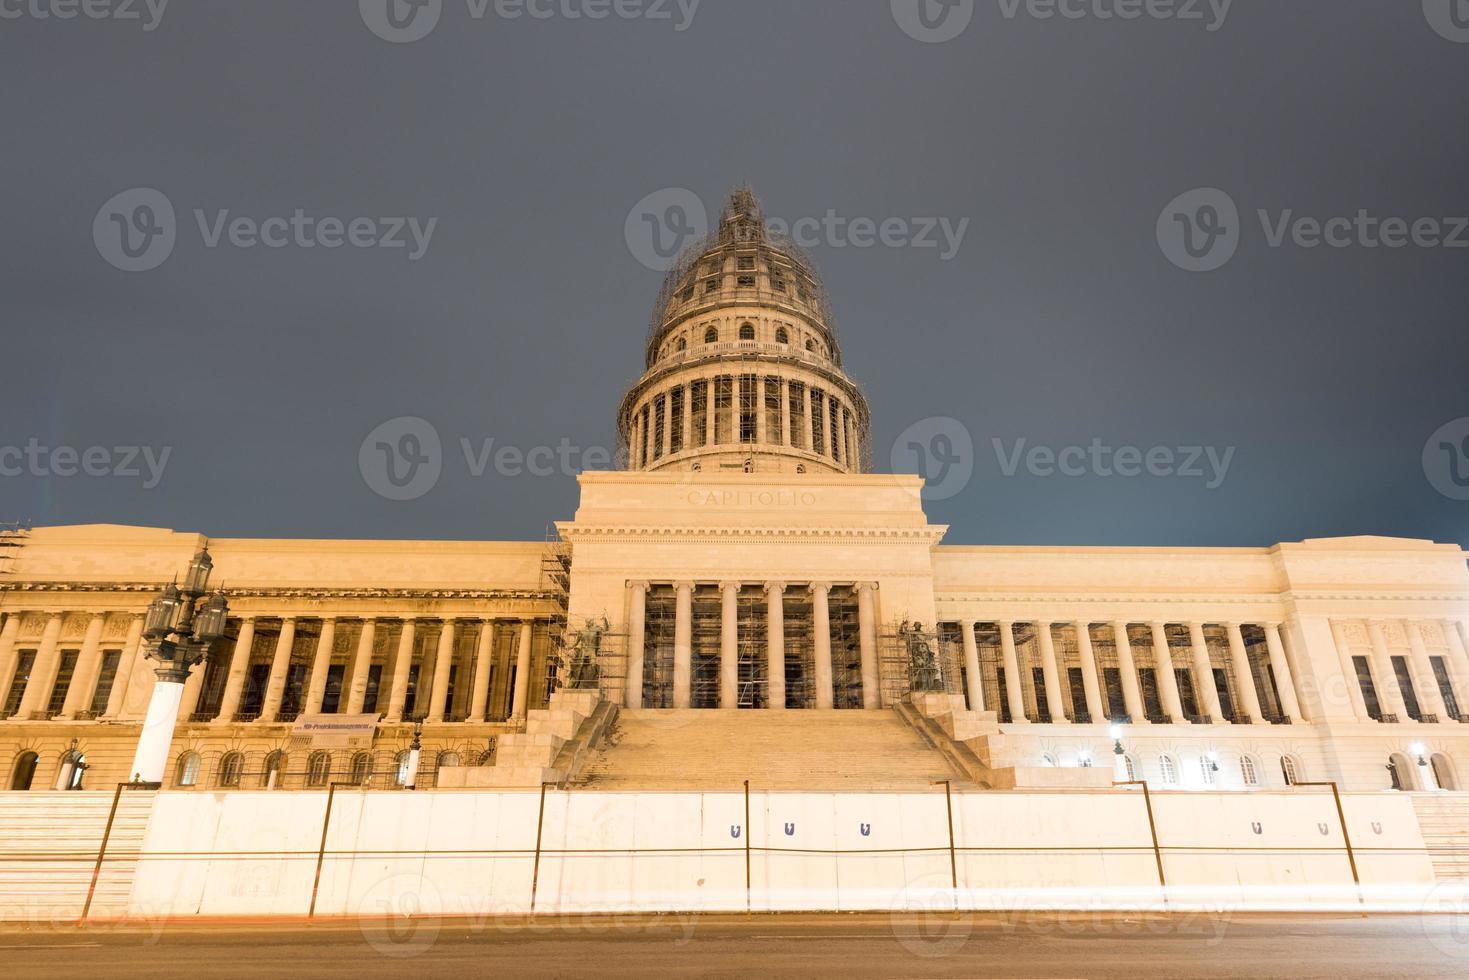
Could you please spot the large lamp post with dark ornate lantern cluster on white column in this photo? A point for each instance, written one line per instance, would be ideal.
(178, 631)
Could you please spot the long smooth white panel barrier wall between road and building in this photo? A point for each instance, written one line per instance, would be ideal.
(474, 853)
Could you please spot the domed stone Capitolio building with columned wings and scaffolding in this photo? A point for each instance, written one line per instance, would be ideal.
(743, 599)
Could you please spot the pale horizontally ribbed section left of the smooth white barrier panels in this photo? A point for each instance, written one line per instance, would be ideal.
(49, 850)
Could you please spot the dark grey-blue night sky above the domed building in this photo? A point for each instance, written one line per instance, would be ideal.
(1058, 321)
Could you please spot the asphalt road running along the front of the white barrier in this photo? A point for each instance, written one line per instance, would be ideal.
(851, 947)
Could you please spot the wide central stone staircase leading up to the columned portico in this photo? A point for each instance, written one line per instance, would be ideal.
(719, 750)
